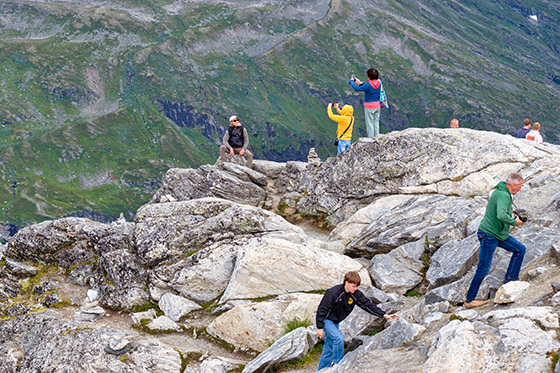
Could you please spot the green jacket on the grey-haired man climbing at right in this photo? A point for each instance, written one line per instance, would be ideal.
(497, 219)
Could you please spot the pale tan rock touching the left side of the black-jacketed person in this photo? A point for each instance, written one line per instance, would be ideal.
(257, 325)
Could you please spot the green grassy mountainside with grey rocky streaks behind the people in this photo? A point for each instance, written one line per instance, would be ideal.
(99, 99)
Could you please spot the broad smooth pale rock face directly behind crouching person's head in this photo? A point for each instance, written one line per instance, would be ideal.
(274, 266)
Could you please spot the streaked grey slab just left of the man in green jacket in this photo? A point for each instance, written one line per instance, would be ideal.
(439, 218)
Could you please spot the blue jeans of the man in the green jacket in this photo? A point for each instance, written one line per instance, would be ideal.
(488, 244)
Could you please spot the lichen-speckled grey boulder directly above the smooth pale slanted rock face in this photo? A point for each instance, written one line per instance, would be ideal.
(169, 230)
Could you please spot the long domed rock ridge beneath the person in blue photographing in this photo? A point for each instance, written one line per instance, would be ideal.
(464, 163)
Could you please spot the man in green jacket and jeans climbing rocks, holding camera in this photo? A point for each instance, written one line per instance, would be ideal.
(493, 231)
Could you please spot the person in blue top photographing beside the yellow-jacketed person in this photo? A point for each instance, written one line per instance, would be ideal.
(374, 99)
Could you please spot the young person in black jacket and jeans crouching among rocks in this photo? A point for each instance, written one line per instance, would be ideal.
(337, 303)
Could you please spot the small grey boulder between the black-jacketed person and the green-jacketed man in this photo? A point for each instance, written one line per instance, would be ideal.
(400, 270)
